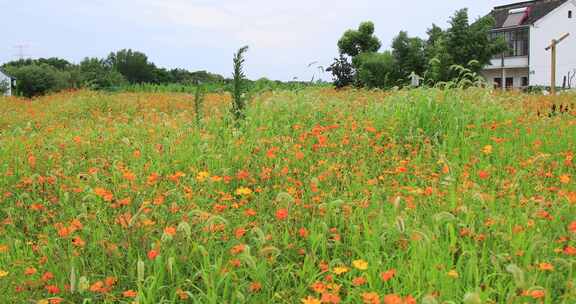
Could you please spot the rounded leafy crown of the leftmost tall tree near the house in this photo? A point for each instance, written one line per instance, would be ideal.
(363, 40)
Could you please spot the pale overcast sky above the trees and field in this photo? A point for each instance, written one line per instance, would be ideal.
(284, 36)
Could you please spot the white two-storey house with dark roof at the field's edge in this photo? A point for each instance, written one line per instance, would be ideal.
(529, 27)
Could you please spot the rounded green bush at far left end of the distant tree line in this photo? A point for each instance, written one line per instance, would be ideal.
(39, 79)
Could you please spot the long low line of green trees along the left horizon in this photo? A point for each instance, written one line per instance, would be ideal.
(40, 76)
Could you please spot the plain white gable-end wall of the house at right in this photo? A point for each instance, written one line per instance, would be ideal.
(552, 26)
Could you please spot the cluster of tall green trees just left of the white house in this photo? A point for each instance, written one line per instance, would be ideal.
(462, 44)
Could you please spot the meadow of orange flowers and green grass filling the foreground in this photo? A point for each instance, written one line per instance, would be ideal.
(318, 196)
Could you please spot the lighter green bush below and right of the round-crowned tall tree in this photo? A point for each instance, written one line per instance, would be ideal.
(377, 70)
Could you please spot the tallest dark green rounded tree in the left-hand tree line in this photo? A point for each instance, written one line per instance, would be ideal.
(133, 65)
